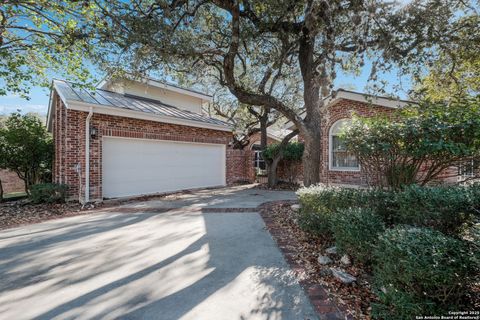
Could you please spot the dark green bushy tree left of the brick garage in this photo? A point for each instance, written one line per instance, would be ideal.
(26, 148)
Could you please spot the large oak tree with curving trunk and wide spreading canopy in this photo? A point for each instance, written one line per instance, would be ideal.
(306, 40)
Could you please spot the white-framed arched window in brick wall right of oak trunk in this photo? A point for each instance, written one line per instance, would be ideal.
(339, 157)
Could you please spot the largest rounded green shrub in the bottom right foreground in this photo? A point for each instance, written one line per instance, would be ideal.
(420, 271)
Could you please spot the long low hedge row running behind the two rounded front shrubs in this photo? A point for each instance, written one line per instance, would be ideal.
(449, 209)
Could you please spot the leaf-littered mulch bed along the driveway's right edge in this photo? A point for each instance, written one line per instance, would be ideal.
(331, 298)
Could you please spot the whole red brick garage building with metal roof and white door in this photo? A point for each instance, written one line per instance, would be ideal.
(130, 138)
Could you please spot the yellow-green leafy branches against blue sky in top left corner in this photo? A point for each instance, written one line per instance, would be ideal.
(39, 37)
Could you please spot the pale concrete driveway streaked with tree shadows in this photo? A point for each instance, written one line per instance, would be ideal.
(176, 258)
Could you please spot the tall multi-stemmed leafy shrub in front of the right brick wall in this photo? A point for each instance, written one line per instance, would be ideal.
(418, 143)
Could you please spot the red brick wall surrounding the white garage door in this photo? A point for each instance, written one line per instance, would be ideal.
(69, 137)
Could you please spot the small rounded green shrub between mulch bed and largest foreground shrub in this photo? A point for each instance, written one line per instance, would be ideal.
(356, 231)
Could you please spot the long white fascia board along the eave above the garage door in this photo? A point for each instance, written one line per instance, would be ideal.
(114, 111)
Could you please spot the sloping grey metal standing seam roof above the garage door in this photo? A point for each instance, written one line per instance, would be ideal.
(73, 92)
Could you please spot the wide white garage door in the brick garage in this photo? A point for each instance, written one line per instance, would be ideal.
(141, 166)
